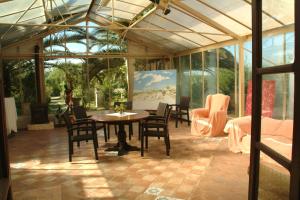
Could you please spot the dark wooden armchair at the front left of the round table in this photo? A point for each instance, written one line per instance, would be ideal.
(90, 133)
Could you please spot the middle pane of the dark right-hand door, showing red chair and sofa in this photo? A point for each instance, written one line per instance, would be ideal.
(277, 109)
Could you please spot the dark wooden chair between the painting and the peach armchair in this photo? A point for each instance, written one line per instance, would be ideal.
(182, 109)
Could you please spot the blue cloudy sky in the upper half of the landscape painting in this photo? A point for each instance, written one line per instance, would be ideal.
(148, 80)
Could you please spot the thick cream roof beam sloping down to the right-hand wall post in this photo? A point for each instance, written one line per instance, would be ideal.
(205, 19)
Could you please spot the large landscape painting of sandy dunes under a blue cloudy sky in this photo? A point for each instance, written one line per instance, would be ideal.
(152, 87)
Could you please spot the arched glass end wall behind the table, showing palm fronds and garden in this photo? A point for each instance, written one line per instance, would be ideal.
(93, 78)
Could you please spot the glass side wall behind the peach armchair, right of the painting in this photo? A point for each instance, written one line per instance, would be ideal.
(208, 72)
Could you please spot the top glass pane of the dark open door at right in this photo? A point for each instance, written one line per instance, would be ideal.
(278, 14)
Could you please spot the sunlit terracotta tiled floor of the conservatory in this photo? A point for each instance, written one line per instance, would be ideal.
(198, 168)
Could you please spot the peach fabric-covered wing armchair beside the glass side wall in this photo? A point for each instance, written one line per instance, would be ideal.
(211, 120)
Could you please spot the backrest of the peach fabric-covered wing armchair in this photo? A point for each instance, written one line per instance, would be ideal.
(217, 102)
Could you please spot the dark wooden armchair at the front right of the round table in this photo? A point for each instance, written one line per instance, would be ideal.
(156, 126)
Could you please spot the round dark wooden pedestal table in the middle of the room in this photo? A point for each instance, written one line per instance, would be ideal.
(110, 116)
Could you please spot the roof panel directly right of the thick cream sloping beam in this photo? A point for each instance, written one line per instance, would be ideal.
(218, 17)
